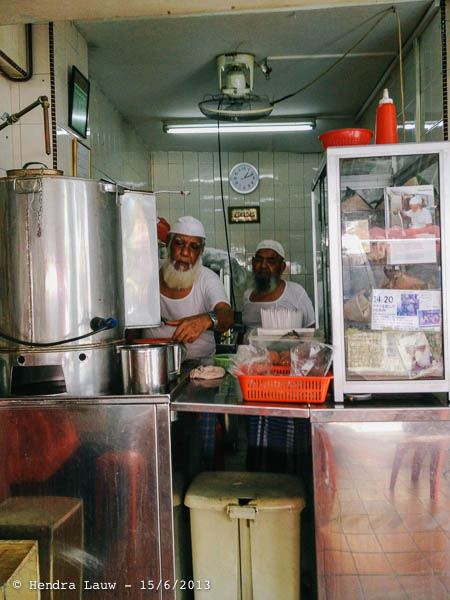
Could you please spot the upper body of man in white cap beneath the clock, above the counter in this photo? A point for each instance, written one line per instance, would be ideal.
(270, 290)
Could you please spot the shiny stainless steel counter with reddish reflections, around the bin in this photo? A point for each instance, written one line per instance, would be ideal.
(381, 485)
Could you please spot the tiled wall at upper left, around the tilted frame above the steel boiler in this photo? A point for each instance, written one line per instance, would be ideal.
(118, 152)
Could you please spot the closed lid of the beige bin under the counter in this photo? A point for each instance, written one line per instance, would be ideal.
(217, 489)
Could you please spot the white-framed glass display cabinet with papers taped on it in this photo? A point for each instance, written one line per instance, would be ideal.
(381, 223)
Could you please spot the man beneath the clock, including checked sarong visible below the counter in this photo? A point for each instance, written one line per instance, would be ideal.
(271, 439)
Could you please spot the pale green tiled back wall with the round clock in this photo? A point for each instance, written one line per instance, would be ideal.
(283, 196)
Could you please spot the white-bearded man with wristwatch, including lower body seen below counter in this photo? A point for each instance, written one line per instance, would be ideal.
(194, 305)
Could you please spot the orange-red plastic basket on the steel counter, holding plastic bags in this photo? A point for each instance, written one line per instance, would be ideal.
(281, 387)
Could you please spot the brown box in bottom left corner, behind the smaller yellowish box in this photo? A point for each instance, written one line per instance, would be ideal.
(56, 523)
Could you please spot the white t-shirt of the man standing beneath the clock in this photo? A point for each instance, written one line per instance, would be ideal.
(294, 296)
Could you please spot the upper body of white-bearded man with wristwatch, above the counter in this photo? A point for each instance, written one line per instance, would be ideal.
(194, 303)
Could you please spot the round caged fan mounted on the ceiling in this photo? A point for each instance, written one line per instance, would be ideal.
(236, 102)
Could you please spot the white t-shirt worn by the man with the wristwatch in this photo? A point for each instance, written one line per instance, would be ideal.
(205, 294)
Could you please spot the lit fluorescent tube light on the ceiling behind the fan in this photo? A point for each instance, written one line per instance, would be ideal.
(259, 127)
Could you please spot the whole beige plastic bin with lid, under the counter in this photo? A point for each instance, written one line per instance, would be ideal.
(245, 530)
